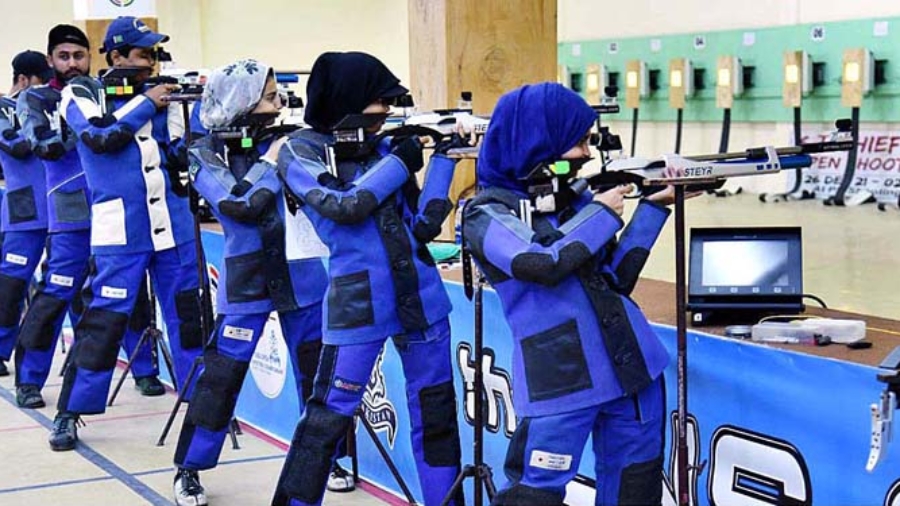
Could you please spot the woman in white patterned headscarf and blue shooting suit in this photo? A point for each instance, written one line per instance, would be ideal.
(263, 270)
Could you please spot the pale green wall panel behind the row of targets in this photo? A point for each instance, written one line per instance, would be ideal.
(763, 102)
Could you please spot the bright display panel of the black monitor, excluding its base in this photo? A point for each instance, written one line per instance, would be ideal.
(745, 264)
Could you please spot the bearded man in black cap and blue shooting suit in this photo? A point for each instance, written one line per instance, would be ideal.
(69, 222)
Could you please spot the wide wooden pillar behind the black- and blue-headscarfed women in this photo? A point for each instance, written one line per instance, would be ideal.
(487, 47)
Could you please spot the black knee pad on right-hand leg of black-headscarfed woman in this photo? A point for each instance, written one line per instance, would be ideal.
(440, 432)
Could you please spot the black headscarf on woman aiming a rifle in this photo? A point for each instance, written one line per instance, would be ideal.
(345, 83)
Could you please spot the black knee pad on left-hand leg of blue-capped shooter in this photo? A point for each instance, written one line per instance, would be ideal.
(99, 333)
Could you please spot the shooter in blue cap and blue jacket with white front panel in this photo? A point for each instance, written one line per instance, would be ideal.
(140, 221)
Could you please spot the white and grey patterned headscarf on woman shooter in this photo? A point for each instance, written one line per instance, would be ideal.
(232, 91)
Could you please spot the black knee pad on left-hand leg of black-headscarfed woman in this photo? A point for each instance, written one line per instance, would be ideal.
(309, 459)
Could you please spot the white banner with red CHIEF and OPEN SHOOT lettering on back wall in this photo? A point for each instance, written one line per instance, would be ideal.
(877, 167)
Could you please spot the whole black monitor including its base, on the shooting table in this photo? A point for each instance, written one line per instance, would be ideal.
(739, 274)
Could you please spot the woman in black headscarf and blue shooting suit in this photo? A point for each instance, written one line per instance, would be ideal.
(383, 283)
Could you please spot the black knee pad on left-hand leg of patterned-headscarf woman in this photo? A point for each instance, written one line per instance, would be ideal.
(215, 395)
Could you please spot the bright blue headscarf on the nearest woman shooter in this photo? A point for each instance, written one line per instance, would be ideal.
(533, 124)
